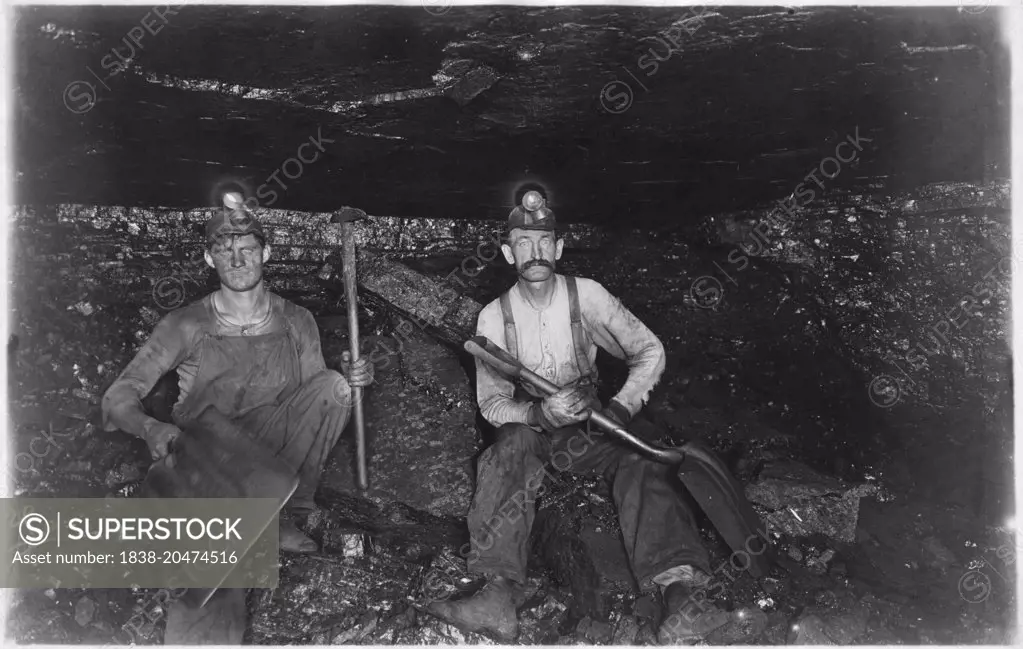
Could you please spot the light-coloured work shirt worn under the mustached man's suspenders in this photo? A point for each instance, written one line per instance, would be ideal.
(545, 347)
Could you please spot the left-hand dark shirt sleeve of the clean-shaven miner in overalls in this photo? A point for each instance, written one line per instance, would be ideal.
(169, 345)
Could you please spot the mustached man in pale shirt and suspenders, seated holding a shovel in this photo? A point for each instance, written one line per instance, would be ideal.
(554, 325)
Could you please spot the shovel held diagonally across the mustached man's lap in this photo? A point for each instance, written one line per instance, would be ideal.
(713, 486)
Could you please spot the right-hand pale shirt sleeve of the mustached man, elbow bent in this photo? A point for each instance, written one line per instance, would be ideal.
(624, 335)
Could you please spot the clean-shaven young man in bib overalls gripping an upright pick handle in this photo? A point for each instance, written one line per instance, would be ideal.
(254, 358)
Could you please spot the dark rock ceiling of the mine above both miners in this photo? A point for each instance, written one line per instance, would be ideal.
(430, 111)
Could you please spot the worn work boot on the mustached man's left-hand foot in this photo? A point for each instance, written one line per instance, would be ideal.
(491, 612)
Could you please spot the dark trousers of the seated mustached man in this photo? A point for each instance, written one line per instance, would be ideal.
(658, 527)
